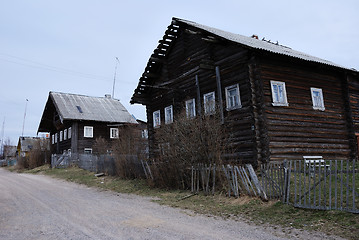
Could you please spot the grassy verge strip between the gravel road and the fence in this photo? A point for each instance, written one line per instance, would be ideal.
(251, 209)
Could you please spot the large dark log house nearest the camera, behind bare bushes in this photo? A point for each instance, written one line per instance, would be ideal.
(277, 103)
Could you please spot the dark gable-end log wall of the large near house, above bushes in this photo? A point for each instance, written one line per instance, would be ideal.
(190, 56)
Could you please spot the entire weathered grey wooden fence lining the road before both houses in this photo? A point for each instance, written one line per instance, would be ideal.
(324, 184)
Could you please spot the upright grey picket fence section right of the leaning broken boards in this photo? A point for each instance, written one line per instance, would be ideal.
(331, 185)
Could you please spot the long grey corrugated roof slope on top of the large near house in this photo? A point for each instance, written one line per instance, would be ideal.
(260, 44)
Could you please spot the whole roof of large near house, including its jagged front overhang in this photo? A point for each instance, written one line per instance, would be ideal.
(177, 24)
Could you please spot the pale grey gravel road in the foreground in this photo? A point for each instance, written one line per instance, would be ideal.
(40, 207)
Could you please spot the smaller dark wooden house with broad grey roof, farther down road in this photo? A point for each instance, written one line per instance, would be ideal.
(76, 121)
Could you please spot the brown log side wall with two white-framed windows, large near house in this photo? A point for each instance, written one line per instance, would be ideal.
(298, 129)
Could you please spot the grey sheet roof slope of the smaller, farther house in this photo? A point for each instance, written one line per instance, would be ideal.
(102, 109)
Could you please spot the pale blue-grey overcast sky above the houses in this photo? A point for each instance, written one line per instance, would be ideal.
(71, 46)
